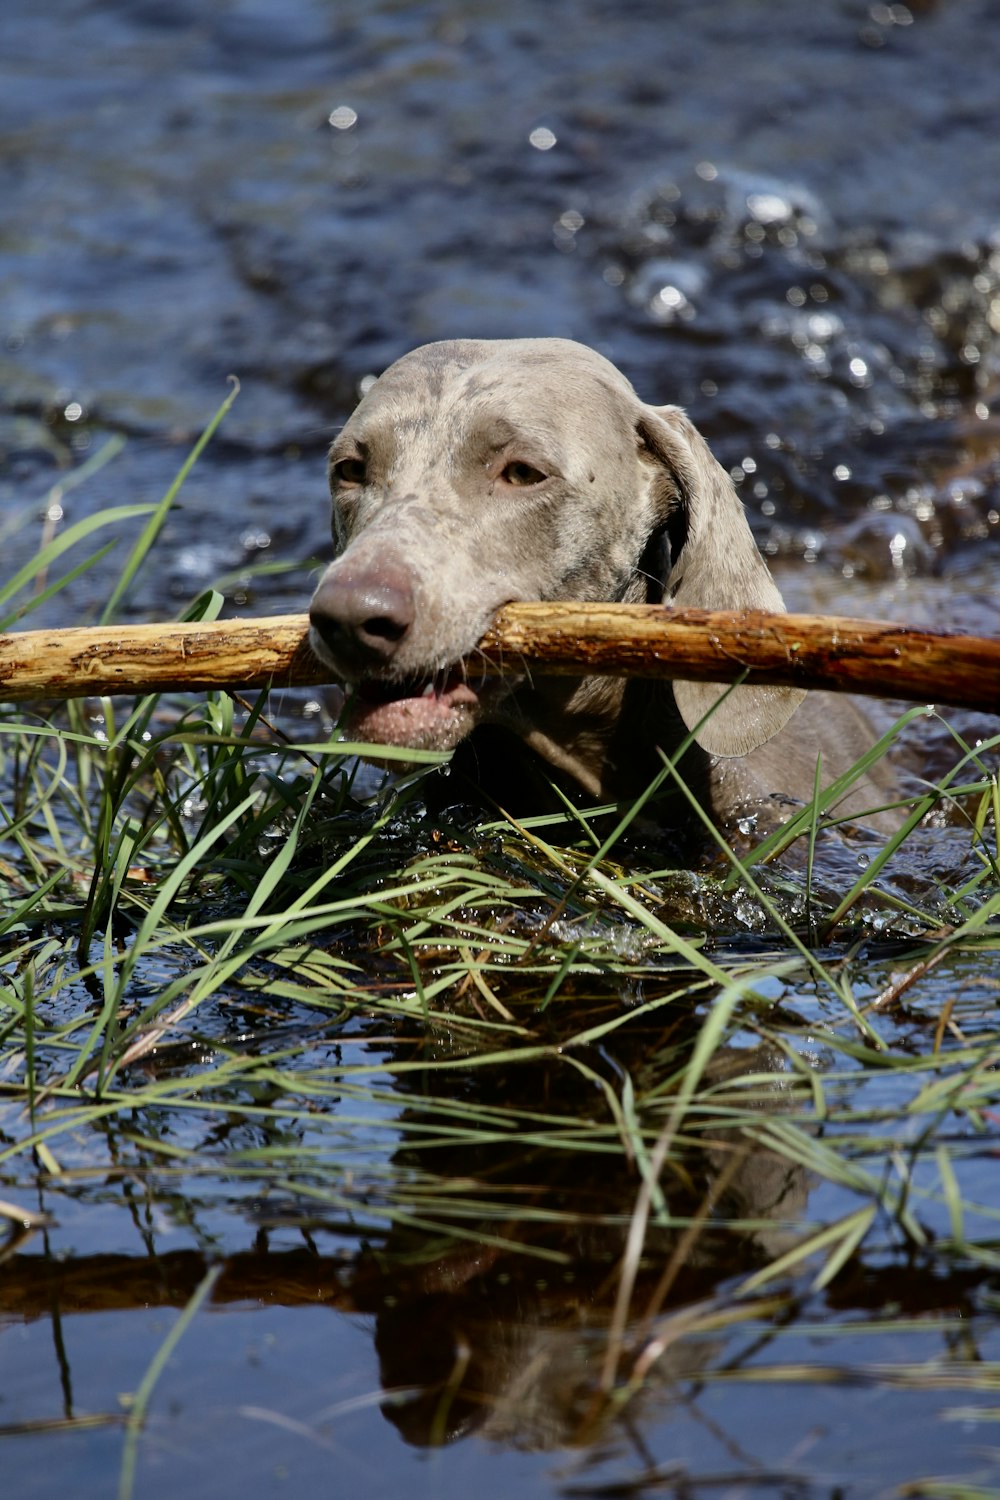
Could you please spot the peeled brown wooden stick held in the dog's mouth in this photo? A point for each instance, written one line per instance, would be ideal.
(647, 641)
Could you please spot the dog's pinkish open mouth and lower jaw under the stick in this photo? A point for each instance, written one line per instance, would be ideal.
(418, 713)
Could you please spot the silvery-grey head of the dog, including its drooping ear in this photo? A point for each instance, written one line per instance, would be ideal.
(475, 475)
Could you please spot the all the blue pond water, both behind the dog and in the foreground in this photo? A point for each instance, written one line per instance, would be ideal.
(401, 1265)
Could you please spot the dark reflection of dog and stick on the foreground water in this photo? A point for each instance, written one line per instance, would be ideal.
(507, 1336)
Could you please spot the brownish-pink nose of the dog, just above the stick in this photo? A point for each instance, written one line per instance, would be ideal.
(364, 616)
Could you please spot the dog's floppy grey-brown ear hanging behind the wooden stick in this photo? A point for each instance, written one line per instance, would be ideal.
(714, 565)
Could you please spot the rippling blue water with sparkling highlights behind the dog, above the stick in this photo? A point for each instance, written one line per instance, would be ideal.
(785, 220)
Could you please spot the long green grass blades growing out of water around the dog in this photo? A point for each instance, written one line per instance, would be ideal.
(229, 973)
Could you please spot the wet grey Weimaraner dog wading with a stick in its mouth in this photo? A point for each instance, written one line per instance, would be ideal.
(478, 473)
